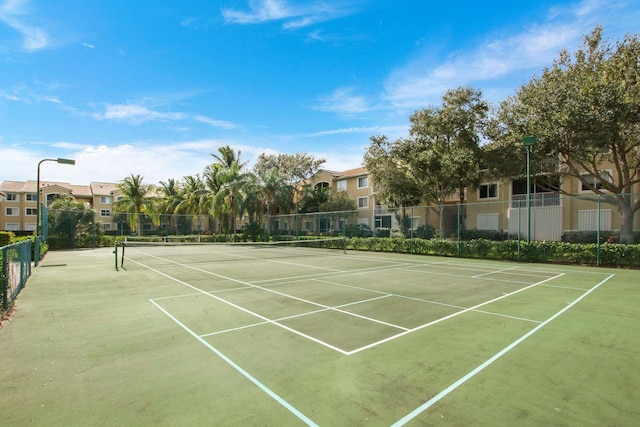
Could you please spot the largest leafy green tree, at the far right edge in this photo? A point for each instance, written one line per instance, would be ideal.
(585, 112)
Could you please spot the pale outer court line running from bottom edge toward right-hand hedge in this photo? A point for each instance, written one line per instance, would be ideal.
(435, 399)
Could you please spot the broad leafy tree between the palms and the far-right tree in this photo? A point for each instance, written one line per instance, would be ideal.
(442, 154)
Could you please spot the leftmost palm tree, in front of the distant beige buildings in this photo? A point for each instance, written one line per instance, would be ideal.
(136, 201)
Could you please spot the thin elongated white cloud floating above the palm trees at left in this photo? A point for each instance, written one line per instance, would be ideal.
(138, 114)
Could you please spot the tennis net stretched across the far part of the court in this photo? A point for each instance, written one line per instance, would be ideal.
(189, 250)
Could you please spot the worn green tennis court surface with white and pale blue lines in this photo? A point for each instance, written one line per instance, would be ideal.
(231, 335)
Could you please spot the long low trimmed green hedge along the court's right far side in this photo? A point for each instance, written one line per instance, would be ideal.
(611, 254)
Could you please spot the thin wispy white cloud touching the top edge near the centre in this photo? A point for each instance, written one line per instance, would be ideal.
(293, 15)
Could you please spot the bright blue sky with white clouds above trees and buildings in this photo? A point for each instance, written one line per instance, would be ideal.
(153, 87)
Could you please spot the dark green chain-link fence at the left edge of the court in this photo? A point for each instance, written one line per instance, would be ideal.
(16, 269)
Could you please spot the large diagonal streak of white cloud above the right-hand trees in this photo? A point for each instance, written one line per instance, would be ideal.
(489, 64)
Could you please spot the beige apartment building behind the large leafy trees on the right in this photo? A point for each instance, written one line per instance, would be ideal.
(495, 205)
